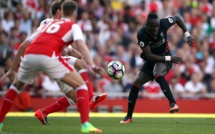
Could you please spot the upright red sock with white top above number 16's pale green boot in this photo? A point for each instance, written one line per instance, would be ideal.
(83, 103)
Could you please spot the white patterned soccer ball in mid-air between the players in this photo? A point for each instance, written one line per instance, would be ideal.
(115, 69)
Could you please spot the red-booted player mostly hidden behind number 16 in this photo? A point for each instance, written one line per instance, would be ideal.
(79, 65)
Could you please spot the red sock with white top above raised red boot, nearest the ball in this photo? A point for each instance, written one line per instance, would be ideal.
(84, 75)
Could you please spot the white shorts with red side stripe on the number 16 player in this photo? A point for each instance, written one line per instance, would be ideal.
(55, 67)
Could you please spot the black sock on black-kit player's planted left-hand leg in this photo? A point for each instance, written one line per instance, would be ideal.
(132, 100)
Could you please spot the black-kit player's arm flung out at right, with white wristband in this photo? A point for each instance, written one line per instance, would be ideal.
(181, 24)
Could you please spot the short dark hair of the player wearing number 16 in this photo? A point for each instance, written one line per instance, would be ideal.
(69, 7)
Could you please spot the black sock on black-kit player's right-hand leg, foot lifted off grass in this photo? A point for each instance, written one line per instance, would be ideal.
(165, 88)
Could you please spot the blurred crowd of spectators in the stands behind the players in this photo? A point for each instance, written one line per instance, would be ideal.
(110, 28)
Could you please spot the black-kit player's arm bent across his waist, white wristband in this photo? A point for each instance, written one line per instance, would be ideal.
(148, 55)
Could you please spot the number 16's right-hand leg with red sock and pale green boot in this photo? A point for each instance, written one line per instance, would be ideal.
(74, 79)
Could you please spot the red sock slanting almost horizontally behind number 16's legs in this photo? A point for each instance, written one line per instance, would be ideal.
(59, 105)
